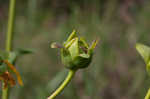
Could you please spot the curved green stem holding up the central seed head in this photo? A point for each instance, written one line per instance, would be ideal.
(63, 85)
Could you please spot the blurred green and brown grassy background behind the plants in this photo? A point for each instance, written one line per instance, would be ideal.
(117, 70)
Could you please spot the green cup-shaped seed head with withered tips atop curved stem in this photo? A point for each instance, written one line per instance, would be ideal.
(75, 52)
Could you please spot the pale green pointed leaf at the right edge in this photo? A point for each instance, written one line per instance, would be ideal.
(144, 52)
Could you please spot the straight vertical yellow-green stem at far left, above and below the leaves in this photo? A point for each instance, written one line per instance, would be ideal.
(9, 37)
